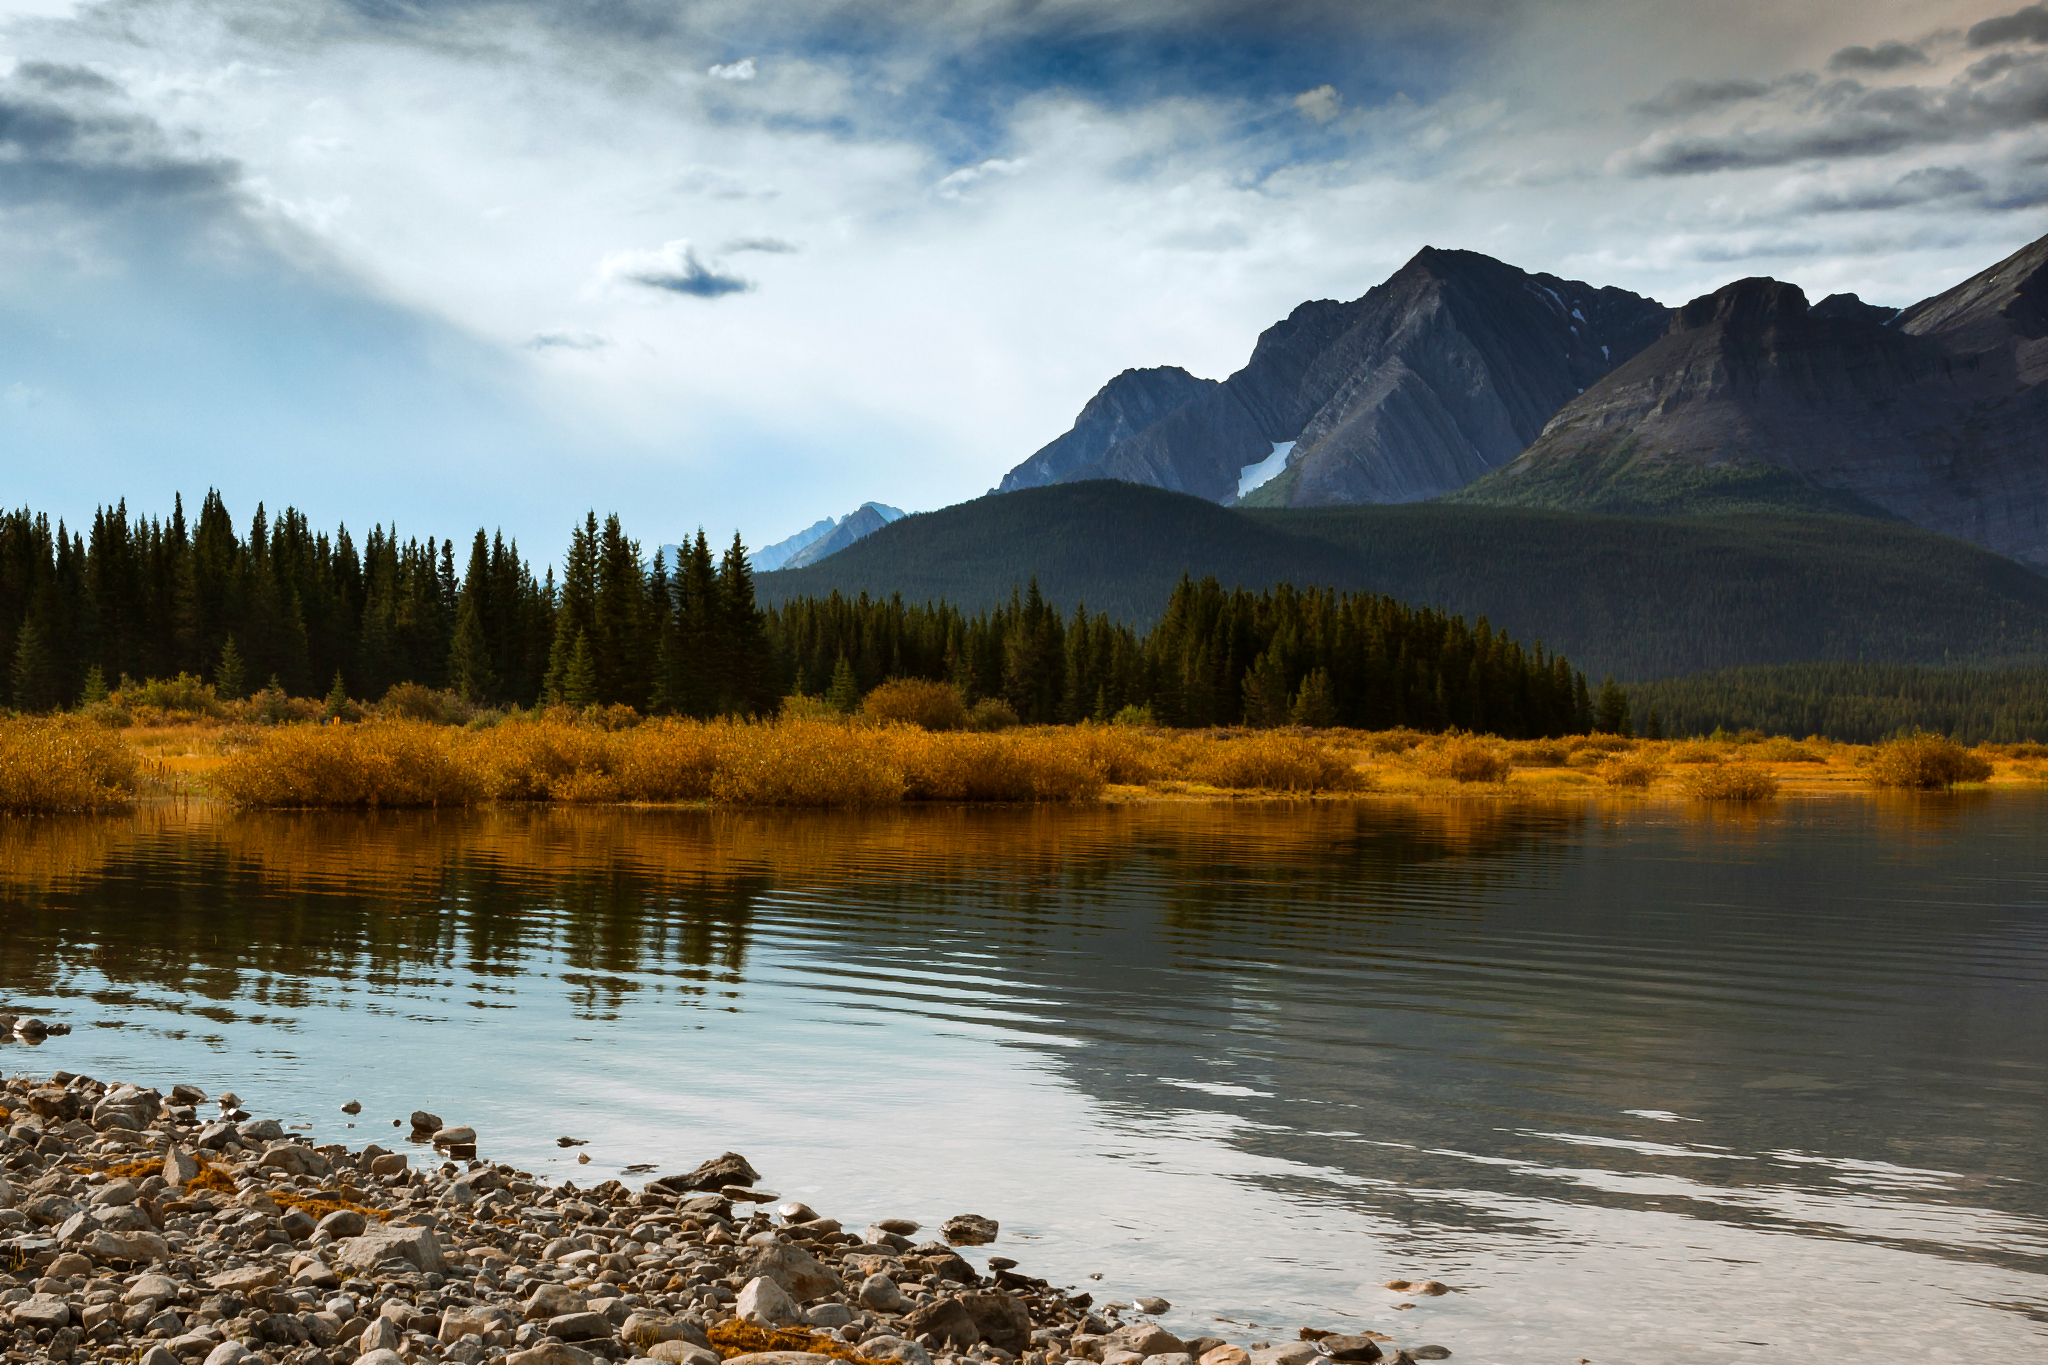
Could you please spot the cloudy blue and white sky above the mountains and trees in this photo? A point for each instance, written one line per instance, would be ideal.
(753, 263)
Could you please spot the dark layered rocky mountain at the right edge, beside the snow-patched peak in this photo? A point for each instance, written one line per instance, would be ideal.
(1752, 398)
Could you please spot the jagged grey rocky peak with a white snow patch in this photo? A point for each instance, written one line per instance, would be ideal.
(1431, 380)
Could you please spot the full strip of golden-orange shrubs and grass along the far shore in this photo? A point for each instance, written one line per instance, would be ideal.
(884, 756)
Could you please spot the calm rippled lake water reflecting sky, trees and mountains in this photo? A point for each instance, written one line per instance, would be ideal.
(1644, 1086)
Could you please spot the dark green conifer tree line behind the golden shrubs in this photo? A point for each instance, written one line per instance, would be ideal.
(314, 613)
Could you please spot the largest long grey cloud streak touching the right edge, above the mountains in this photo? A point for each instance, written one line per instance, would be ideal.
(1848, 120)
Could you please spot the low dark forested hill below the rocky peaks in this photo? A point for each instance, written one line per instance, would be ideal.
(1627, 595)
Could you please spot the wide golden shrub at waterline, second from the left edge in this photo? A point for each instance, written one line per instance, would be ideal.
(378, 764)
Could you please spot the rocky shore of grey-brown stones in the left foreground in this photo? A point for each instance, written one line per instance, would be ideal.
(179, 1231)
